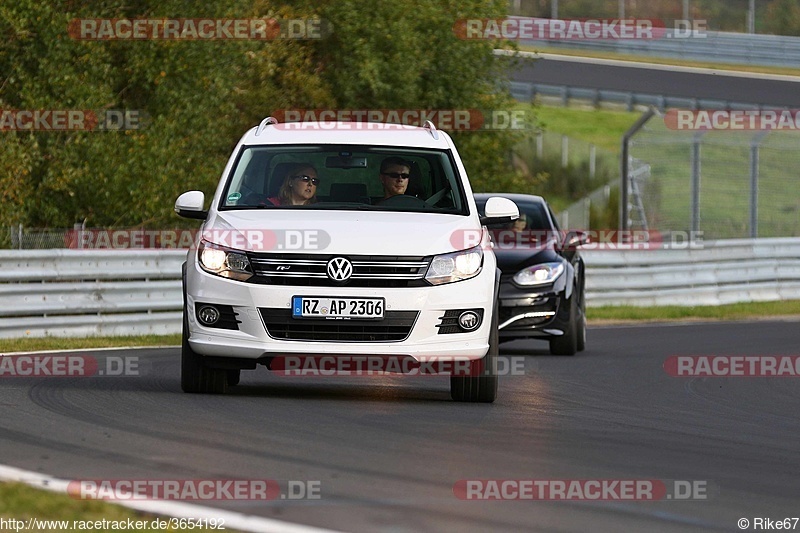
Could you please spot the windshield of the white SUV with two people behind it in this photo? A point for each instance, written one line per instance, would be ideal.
(344, 177)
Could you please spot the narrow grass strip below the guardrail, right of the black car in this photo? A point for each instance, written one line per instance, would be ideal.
(739, 311)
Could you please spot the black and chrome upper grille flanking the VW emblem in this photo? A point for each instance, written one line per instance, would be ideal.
(306, 270)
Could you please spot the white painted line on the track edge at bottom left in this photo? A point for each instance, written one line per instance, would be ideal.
(232, 520)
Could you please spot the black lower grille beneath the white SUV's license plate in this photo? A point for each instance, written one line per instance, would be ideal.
(395, 326)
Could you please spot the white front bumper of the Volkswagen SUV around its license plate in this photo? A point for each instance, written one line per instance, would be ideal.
(254, 305)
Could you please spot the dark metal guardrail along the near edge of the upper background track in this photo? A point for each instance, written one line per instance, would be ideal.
(526, 92)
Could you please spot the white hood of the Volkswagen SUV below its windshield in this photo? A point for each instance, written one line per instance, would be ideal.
(343, 232)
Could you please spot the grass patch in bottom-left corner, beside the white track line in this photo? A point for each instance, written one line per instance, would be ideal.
(20, 501)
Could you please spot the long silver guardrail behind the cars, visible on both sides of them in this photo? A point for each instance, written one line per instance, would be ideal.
(65, 293)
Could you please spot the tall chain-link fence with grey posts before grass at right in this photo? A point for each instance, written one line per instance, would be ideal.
(725, 184)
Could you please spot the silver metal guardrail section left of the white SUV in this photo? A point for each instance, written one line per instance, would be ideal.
(66, 293)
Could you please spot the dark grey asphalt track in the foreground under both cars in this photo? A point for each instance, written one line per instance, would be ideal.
(388, 451)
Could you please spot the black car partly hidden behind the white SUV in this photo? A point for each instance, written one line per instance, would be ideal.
(543, 277)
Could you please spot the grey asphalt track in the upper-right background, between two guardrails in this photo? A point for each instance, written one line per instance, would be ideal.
(660, 80)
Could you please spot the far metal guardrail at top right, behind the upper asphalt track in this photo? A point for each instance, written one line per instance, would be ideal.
(709, 46)
